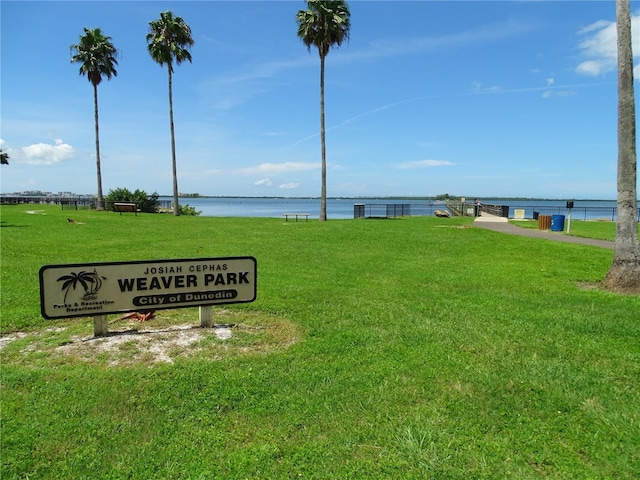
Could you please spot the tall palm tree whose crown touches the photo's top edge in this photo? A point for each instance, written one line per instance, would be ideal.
(324, 24)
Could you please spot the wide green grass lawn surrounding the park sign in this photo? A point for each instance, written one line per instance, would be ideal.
(409, 348)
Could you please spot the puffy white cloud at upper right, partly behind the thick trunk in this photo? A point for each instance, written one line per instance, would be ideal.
(599, 46)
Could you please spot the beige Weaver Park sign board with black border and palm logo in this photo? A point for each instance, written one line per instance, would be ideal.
(96, 289)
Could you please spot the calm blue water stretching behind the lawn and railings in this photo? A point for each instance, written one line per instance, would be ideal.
(343, 208)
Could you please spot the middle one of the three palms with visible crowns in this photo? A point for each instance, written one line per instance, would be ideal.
(169, 39)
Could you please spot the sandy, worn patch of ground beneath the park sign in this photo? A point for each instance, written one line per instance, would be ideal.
(154, 342)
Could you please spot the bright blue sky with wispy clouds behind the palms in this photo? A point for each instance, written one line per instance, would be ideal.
(475, 98)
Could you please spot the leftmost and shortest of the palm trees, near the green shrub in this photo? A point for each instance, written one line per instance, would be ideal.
(97, 58)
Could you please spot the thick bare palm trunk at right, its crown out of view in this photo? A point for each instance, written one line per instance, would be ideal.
(624, 274)
